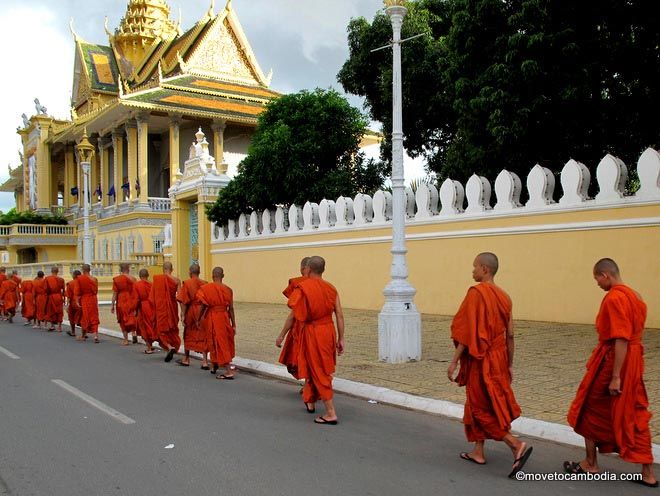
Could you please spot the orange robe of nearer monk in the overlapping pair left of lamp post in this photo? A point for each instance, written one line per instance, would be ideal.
(313, 303)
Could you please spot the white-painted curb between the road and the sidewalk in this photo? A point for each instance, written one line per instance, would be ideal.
(524, 425)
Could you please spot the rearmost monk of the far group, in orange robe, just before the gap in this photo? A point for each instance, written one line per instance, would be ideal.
(216, 317)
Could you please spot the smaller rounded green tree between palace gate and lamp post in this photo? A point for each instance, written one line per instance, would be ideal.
(305, 148)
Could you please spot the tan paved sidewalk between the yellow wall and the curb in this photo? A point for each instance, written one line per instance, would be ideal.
(549, 362)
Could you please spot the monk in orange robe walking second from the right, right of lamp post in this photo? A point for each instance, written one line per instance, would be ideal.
(482, 331)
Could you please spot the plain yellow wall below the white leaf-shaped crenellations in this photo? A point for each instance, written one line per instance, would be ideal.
(547, 273)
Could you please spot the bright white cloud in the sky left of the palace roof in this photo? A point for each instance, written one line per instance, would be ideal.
(40, 65)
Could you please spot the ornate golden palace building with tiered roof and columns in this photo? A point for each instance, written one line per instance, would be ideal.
(157, 103)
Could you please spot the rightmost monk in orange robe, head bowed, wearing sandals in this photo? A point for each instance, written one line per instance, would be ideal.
(610, 409)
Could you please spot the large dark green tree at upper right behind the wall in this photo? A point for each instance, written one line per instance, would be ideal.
(510, 83)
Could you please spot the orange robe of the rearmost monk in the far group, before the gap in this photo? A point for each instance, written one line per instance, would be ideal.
(216, 323)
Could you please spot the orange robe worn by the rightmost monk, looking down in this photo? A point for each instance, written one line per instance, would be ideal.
(616, 423)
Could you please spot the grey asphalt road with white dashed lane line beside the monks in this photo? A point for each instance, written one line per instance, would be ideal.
(246, 437)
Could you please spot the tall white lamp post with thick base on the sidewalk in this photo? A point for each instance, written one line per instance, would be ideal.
(399, 322)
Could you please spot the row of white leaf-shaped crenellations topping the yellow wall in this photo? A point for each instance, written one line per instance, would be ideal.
(428, 204)
